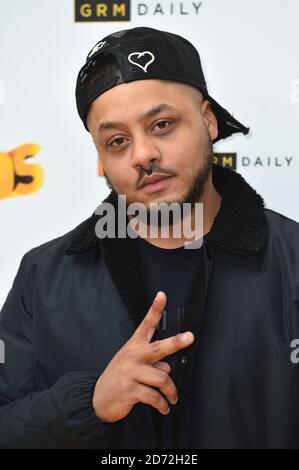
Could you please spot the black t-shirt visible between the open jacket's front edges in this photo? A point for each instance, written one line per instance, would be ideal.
(172, 271)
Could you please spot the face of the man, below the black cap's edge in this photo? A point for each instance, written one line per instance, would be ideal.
(154, 126)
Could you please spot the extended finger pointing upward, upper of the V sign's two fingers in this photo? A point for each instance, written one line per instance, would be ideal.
(147, 327)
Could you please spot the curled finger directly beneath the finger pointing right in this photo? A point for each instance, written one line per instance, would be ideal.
(158, 379)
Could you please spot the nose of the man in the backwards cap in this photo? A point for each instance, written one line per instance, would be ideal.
(144, 152)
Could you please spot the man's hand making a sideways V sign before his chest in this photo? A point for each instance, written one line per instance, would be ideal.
(136, 373)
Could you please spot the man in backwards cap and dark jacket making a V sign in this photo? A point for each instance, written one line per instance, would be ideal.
(124, 342)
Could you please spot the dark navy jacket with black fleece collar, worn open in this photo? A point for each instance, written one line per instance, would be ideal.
(76, 300)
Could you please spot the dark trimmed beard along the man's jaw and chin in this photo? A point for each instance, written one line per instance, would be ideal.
(159, 214)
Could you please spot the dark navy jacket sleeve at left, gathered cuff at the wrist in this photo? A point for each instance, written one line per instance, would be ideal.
(60, 417)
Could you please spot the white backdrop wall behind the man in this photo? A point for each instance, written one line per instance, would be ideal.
(249, 53)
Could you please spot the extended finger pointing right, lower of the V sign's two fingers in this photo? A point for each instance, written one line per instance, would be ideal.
(165, 347)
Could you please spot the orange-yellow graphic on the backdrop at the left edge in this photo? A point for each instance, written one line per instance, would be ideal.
(18, 178)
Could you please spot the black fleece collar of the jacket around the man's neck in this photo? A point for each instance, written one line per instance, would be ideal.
(238, 228)
